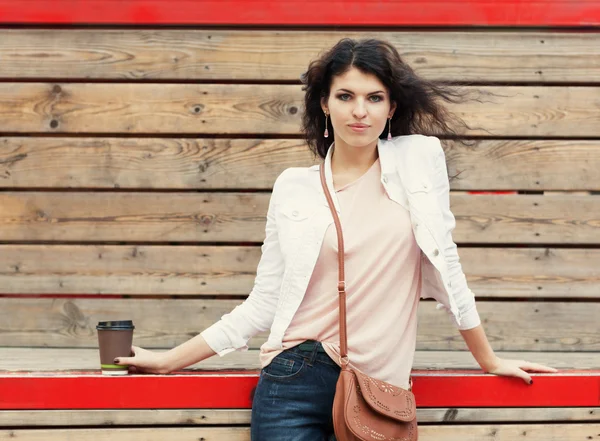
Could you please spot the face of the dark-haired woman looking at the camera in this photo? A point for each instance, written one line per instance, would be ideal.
(359, 107)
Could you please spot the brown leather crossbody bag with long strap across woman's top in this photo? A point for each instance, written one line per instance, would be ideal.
(365, 408)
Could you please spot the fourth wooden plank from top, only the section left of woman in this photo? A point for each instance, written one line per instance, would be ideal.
(148, 217)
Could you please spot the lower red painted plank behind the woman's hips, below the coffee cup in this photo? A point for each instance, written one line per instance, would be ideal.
(231, 390)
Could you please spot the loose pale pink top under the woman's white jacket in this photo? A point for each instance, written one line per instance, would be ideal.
(383, 276)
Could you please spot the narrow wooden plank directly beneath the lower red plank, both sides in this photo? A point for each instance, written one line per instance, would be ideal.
(201, 417)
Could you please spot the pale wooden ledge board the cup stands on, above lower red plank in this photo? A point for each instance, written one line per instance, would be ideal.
(26, 359)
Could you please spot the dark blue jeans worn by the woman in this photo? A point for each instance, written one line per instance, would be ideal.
(294, 396)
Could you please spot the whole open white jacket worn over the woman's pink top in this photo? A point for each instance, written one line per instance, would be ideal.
(414, 175)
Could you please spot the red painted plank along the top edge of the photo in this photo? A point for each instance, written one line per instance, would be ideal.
(306, 12)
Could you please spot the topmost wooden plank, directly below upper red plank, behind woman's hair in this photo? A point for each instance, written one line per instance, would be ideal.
(173, 54)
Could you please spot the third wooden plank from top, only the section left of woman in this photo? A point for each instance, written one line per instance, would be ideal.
(142, 163)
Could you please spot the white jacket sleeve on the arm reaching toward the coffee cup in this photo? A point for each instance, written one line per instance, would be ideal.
(257, 312)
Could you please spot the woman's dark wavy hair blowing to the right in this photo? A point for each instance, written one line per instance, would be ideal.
(419, 101)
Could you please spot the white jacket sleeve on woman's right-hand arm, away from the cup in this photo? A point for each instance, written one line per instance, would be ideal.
(465, 299)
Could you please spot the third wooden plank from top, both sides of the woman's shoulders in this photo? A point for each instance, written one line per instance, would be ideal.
(205, 163)
